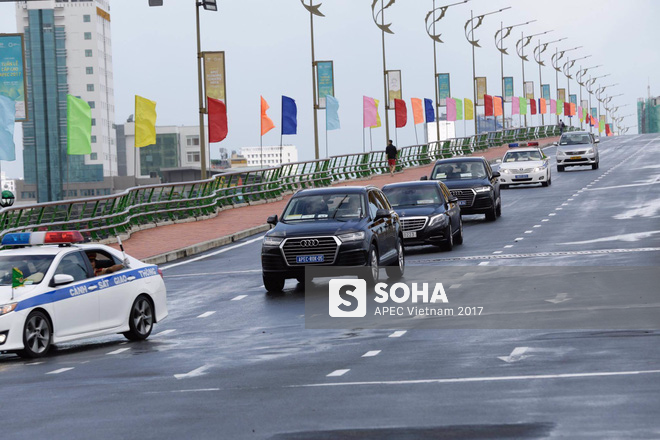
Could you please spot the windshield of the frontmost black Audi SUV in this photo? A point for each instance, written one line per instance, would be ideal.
(339, 206)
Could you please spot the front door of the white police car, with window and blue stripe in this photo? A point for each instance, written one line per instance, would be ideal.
(76, 305)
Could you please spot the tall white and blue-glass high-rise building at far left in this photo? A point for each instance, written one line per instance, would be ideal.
(68, 51)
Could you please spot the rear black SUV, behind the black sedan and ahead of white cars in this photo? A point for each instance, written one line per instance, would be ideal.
(473, 182)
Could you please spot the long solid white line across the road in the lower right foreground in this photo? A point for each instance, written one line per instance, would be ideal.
(483, 379)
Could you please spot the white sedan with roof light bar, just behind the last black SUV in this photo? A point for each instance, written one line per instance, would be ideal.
(525, 165)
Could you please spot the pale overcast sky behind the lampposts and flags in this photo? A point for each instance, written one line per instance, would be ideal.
(267, 45)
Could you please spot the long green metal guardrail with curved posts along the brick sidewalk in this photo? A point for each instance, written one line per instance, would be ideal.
(150, 205)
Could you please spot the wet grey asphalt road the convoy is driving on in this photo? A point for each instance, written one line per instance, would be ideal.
(232, 362)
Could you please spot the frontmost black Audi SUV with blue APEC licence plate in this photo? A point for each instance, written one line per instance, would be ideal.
(343, 226)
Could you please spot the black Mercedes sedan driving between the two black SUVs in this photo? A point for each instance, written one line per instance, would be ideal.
(428, 212)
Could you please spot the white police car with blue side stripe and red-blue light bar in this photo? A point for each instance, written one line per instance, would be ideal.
(53, 290)
